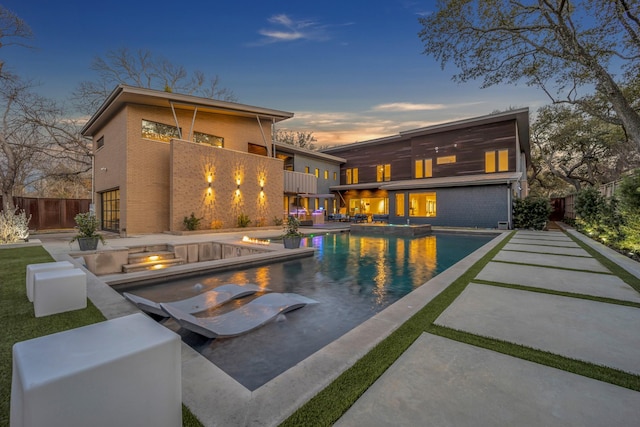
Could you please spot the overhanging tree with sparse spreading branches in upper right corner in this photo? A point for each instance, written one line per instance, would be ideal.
(567, 48)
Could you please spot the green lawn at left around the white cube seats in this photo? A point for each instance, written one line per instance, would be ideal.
(20, 324)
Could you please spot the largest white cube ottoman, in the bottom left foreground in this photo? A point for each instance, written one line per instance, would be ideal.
(122, 372)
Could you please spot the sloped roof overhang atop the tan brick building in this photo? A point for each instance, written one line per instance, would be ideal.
(124, 94)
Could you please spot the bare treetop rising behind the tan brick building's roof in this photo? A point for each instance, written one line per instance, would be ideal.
(143, 69)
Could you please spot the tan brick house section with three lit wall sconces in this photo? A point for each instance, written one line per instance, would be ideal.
(160, 156)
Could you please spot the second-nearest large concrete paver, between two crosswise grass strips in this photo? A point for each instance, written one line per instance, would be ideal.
(600, 333)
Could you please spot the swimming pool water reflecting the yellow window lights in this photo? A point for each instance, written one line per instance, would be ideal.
(351, 277)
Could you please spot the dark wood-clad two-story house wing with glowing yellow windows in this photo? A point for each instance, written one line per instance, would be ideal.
(464, 173)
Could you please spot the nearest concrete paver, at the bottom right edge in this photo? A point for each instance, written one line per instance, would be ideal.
(440, 382)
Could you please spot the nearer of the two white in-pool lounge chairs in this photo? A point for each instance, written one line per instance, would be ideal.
(247, 318)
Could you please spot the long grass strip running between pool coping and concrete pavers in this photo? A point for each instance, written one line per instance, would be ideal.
(330, 404)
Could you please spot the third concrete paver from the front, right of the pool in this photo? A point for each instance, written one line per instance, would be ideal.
(578, 282)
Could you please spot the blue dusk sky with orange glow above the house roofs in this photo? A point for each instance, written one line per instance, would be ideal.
(349, 70)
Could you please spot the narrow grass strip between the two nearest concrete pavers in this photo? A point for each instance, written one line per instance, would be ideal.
(579, 367)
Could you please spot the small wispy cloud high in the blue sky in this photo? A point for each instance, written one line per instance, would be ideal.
(286, 29)
